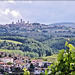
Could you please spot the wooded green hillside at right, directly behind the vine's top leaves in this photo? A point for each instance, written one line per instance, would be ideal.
(58, 43)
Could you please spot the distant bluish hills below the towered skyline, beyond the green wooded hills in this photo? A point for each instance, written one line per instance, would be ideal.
(39, 32)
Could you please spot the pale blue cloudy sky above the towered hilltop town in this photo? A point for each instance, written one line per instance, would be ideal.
(37, 11)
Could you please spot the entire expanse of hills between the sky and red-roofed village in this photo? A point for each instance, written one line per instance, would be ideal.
(38, 38)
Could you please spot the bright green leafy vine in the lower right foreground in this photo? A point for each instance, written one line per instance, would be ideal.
(65, 62)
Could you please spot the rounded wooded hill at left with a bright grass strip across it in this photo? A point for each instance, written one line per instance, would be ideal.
(29, 46)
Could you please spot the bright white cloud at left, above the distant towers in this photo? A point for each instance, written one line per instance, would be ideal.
(7, 15)
